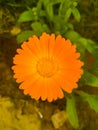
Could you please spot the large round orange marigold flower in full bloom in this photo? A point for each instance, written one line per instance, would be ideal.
(47, 66)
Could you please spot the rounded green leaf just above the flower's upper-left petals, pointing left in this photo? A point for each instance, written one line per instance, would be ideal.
(24, 35)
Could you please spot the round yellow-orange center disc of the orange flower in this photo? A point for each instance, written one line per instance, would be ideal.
(46, 67)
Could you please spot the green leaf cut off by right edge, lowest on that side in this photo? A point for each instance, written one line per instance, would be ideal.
(92, 100)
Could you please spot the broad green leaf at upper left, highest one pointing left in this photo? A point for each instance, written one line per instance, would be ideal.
(26, 16)
